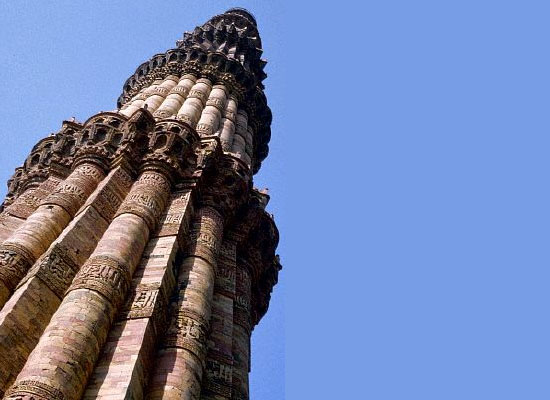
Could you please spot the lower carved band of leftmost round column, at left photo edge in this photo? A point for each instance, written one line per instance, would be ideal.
(15, 261)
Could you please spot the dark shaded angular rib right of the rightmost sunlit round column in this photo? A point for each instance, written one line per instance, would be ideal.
(219, 361)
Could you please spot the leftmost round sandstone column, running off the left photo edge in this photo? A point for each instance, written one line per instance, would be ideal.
(19, 252)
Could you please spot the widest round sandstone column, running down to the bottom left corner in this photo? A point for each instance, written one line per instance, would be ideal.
(59, 366)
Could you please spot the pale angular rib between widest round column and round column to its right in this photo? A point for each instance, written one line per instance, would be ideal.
(123, 368)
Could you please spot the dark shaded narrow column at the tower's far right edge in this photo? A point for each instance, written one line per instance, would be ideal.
(241, 331)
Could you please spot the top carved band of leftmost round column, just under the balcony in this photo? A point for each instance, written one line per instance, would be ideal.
(72, 193)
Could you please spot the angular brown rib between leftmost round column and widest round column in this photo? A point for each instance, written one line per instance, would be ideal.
(39, 294)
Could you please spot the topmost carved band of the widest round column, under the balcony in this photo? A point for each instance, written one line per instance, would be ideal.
(145, 199)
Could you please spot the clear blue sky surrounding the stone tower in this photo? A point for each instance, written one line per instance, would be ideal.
(409, 171)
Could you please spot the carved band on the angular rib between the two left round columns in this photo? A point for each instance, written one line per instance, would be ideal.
(55, 269)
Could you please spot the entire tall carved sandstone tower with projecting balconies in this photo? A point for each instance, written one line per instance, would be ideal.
(136, 257)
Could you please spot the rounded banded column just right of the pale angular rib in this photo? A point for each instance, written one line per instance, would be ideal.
(181, 358)
